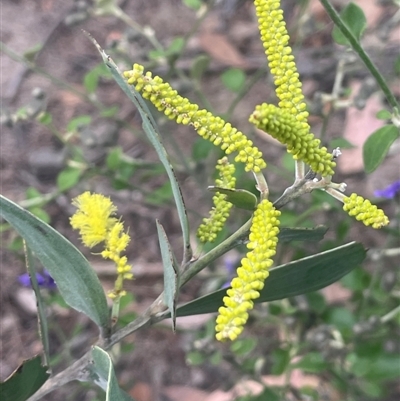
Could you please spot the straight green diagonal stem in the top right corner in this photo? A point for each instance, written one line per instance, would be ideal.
(361, 52)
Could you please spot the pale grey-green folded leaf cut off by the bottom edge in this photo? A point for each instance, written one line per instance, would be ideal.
(103, 368)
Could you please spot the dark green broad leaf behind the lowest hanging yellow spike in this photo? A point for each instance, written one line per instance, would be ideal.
(295, 278)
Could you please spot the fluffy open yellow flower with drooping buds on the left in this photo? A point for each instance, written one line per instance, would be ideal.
(96, 224)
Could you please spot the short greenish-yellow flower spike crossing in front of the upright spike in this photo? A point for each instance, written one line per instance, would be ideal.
(295, 135)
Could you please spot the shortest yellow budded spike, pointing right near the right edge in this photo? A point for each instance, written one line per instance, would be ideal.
(364, 211)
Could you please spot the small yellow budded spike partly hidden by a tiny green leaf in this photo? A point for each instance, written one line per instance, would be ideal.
(211, 226)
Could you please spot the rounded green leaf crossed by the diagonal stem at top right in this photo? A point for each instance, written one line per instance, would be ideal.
(353, 16)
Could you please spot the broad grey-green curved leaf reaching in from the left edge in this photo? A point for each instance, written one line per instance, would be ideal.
(75, 278)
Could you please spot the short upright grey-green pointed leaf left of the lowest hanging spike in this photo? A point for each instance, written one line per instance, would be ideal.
(171, 273)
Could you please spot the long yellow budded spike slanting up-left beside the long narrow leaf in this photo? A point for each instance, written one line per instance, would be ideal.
(208, 126)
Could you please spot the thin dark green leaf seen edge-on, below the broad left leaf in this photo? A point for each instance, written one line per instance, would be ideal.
(42, 315)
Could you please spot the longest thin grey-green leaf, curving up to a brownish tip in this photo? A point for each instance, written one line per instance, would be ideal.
(150, 127)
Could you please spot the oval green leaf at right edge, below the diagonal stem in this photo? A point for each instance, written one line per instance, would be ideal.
(377, 145)
